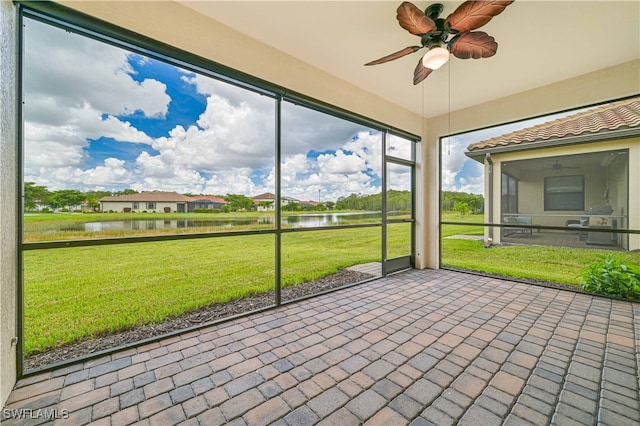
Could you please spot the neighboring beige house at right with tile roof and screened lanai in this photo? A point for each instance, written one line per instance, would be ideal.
(579, 171)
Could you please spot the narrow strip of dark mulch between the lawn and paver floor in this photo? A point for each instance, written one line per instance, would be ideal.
(202, 316)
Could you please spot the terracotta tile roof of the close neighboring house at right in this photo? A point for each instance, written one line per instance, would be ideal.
(612, 116)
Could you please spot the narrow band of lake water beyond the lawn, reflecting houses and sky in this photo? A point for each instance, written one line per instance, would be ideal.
(292, 221)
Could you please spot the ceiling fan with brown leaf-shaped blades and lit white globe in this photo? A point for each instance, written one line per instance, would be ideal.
(434, 34)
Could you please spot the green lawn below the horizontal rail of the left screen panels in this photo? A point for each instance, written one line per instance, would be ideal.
(75, 293)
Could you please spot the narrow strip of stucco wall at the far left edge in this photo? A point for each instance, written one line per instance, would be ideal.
(8, 197)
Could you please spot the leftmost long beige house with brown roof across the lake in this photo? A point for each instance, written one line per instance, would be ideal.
(149, 201)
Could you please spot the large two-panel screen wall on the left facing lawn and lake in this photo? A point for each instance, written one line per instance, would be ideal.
(190, 138)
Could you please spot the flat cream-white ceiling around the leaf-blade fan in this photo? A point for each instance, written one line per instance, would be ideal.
(540, 42)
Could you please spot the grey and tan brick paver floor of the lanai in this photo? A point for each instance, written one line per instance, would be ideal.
(418, 347)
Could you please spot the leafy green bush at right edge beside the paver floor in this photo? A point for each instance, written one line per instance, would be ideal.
(609, 276)
